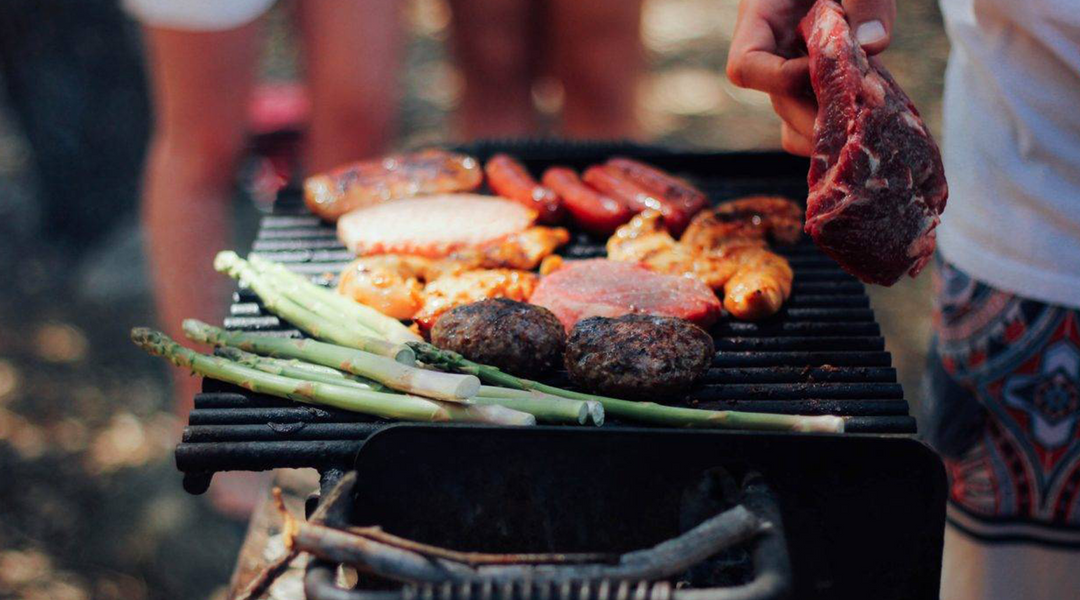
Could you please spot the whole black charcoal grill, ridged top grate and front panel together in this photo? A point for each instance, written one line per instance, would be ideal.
(865, 511)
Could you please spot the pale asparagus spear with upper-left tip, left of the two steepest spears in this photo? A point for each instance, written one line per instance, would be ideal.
(304, 317)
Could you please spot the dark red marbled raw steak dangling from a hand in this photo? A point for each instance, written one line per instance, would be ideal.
(876, 181)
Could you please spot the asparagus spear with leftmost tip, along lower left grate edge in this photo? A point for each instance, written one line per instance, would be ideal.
(377, 404)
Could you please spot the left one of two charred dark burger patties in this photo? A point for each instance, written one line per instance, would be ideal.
(519, 338)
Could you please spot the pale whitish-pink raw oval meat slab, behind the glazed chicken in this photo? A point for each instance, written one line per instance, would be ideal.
(433, 226)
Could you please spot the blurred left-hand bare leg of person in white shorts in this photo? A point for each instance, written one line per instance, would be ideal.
(201, 87)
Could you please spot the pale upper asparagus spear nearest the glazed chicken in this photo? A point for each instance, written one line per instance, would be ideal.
(302, 291)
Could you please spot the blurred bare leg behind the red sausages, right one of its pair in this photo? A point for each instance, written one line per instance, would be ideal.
(597, 53)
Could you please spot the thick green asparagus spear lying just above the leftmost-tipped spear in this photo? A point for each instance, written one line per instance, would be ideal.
(433, 385)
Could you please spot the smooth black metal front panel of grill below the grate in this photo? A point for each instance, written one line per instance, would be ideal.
(863, 516)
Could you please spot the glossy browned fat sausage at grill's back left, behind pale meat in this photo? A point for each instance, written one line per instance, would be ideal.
(334, 194)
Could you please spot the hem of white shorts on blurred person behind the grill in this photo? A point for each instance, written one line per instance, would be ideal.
(197, 16)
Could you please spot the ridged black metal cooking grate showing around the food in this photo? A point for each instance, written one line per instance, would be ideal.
(822, 354)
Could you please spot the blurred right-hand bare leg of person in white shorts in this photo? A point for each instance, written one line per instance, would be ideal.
(353, 52)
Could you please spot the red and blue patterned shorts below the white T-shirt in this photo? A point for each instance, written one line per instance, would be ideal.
(1004, 411)
